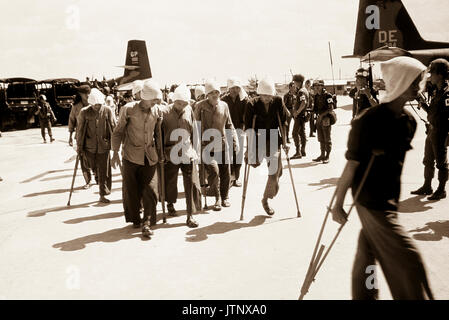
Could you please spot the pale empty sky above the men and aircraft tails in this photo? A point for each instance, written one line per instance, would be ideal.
(190, 41)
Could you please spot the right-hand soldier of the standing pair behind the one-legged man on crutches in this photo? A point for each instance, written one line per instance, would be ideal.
(323, 106)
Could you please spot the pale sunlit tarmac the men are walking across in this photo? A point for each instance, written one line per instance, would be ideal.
(86, 251)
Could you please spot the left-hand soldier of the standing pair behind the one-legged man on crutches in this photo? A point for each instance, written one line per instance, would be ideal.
(299, 114)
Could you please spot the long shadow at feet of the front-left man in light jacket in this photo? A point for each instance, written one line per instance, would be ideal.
(113, 235)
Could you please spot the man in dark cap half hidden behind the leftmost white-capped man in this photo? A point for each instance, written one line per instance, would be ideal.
(80, 102)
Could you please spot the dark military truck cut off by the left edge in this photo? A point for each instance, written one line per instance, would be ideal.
(18, 102)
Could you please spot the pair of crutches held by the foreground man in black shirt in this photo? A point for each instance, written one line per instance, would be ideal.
(318, 258)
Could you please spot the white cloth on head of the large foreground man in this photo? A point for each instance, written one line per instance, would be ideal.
(398, 74)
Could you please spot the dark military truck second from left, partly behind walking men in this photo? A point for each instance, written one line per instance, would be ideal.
(60, 95)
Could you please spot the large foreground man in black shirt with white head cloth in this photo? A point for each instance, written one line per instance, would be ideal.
(382, 136)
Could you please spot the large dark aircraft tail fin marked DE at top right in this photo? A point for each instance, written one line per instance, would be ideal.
(383, 23)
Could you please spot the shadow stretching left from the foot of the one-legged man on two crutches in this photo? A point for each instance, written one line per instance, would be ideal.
(202, 234)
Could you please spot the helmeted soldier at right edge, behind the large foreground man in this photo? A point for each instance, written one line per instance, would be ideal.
(436, 141)
